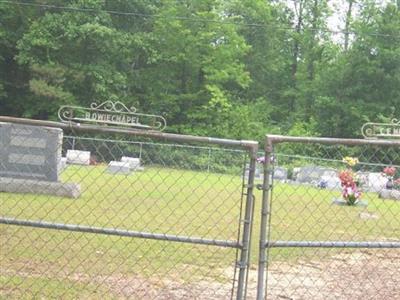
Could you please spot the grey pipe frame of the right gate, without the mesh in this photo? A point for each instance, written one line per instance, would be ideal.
(267, 186)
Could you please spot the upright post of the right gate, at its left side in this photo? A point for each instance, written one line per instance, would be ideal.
(262, 260)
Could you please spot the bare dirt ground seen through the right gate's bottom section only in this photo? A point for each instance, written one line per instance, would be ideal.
(352, 275)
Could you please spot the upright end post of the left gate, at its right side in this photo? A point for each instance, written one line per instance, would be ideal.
(248, 220)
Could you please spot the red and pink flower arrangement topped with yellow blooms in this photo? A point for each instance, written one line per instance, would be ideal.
(350, 182)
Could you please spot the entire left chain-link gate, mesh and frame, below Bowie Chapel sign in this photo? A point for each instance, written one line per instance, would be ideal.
(176, 224)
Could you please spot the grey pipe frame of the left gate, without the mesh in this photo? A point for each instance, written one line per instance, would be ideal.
(243, 242)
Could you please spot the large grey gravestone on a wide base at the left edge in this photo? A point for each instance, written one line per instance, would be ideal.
(30, 161)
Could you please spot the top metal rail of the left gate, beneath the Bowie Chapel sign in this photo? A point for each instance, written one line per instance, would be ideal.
(75, 127)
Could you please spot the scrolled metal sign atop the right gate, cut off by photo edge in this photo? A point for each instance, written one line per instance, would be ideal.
(381, 130)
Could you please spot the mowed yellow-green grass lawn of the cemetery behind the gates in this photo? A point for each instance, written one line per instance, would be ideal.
(34, 262)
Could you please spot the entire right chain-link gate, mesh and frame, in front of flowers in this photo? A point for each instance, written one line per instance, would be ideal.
(315, 243)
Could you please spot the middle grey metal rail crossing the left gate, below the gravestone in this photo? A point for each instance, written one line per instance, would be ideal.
(120, 232)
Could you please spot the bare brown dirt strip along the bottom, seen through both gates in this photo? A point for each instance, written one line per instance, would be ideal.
(348, 275)
